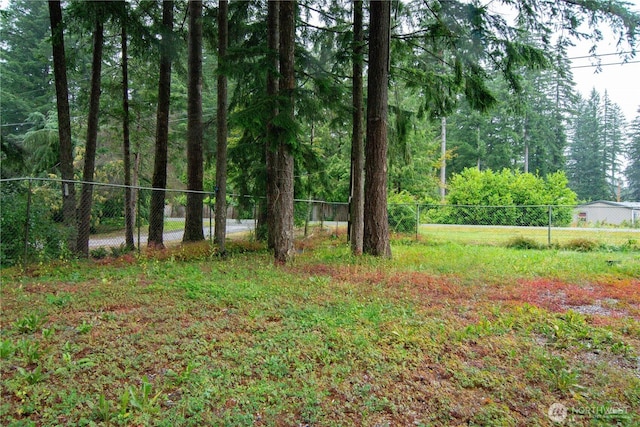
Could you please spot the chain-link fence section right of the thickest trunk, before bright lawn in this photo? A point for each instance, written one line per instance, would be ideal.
(584, 226)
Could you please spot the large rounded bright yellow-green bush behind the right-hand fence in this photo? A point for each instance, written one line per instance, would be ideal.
(508, 198)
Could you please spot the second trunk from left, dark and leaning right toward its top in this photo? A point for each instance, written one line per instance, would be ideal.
(84, 220)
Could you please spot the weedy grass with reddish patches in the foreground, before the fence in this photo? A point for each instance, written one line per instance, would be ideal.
(443, 334)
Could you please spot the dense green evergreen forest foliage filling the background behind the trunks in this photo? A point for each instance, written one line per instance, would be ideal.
(501, 92)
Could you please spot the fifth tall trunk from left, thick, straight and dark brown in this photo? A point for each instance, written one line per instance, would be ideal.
(193, 222)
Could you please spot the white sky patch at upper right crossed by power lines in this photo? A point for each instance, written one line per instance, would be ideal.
(620, 81)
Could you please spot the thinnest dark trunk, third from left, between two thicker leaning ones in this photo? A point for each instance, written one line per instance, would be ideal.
(126, 142)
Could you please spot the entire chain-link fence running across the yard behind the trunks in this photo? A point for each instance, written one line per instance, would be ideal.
(31, 224)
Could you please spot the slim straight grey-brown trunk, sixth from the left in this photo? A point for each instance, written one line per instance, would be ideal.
(221, 153)
